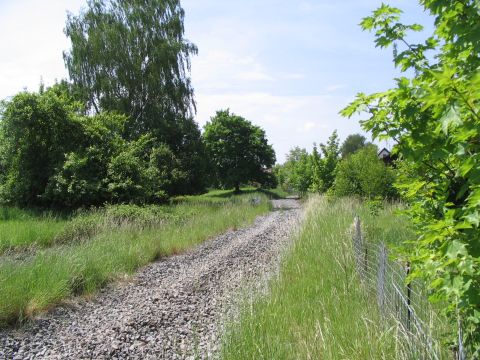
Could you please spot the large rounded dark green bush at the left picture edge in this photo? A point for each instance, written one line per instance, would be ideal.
(36, 131)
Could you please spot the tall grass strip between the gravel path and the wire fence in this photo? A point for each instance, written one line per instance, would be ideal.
(315, 308)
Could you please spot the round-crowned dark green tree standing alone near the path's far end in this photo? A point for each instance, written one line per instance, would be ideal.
(238, 150)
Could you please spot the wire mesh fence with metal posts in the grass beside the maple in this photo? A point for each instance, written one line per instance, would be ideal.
(405, 302)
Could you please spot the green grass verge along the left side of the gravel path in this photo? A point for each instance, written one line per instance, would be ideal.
(102, 245)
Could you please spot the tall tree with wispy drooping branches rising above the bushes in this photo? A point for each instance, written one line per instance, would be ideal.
(131, 56)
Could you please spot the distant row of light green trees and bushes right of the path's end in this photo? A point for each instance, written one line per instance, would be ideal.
(352, 169)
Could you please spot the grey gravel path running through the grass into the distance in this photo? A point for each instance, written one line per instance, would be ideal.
(173, 308)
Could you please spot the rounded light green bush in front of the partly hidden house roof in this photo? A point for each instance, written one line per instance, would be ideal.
(363, 174)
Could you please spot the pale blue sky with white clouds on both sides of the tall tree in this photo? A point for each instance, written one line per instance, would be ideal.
(286, 66)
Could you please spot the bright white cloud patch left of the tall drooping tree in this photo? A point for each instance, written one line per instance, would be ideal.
(33, 43)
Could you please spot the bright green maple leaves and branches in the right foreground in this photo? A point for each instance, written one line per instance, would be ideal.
(433, 114)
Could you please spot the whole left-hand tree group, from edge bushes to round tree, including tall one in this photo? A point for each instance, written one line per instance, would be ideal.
(122, 129)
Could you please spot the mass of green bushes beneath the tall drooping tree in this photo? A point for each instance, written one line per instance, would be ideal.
(52, 154)
